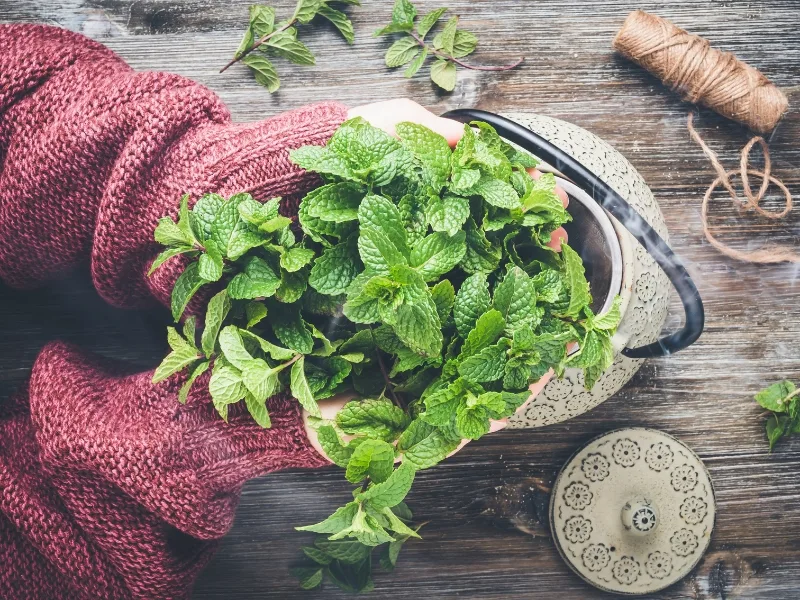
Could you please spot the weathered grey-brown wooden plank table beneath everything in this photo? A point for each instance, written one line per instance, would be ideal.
(488, 535)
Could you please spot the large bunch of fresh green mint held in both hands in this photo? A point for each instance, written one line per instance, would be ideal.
(417, 277)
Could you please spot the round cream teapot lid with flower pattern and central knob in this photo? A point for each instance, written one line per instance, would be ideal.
(632, 511)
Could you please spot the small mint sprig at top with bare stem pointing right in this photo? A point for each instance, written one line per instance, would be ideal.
(448, 47)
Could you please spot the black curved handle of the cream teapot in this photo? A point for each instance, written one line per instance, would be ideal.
(604, 195)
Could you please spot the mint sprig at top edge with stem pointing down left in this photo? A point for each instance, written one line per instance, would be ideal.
(279, 39)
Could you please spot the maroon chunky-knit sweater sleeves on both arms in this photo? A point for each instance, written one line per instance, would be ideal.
(108, 487)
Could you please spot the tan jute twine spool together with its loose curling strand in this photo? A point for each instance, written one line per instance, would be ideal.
(689, 65)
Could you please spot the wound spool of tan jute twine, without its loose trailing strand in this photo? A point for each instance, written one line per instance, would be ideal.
(701, 74)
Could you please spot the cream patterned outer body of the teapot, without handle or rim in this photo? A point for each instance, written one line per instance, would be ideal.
(645, 288)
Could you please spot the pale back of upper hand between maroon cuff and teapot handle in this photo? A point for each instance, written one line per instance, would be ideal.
(386, 115)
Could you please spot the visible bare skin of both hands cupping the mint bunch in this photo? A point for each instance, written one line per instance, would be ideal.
(386, 115)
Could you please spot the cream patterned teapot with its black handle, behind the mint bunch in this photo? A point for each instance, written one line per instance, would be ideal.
(620, 233)
